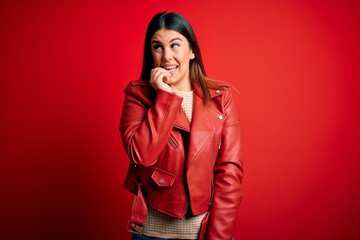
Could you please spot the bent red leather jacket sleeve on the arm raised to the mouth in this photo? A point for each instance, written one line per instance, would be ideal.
(144, 127)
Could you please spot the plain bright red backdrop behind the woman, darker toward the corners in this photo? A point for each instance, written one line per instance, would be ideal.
(63, 69)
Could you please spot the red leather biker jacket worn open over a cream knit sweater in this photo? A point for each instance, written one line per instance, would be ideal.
(181, 166)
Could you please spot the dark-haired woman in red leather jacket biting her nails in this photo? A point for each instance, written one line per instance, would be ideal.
(181, 132)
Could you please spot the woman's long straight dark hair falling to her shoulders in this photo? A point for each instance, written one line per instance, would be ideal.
(175, 21)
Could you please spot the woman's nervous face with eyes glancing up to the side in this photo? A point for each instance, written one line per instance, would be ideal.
(172, 51)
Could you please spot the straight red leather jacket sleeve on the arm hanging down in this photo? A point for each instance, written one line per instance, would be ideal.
(228, 173)
